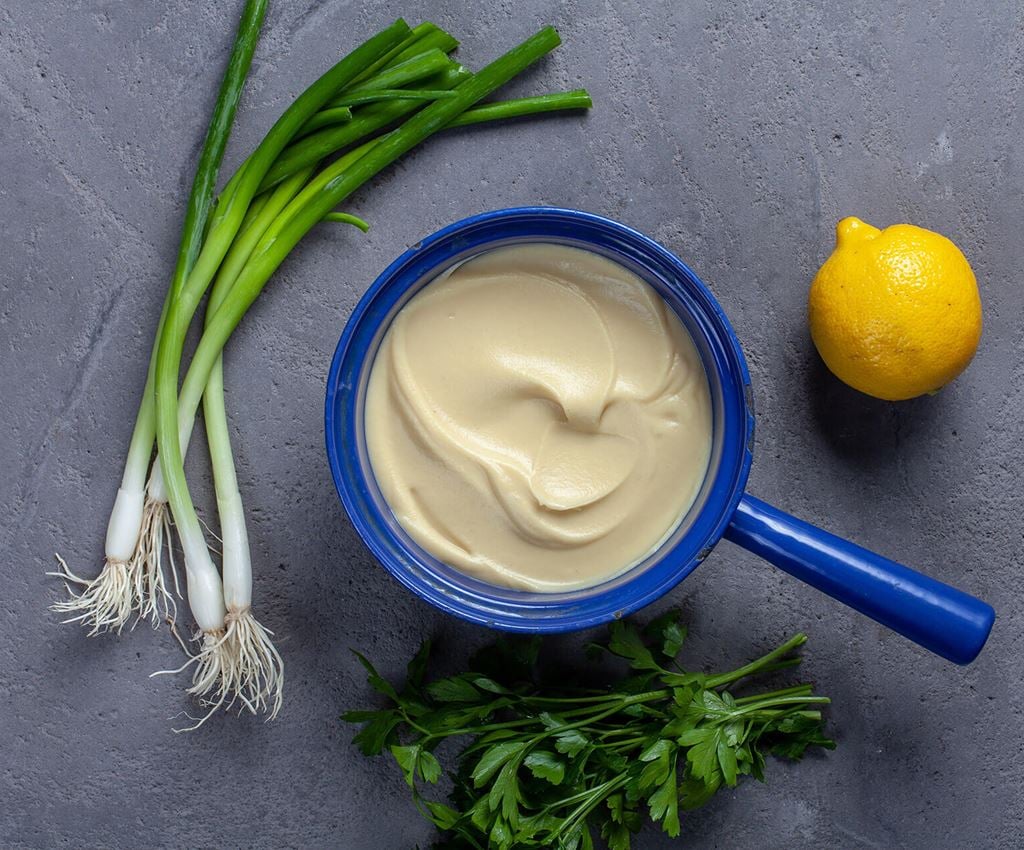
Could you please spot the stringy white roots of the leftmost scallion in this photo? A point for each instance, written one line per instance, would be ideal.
(107, 603)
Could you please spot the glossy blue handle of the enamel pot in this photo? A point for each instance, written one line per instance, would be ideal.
(942, 619)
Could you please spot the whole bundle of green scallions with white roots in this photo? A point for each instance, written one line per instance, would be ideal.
(391, 94)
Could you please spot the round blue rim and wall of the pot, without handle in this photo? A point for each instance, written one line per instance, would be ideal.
(500, 608)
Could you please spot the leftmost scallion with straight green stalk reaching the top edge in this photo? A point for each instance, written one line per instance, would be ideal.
(131, 580)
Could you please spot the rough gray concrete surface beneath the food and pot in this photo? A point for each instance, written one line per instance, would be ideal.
(736, 134)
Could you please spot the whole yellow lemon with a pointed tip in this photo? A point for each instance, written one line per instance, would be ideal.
(895, 313)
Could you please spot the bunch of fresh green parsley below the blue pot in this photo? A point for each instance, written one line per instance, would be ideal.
(556, 767)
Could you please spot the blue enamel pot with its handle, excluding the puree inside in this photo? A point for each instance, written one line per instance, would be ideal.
(941, 618)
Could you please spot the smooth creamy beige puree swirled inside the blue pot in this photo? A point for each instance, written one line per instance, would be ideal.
(539, 418)
